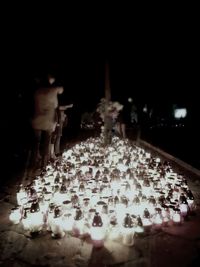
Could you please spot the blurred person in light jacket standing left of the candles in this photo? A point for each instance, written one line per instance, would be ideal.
(44, 119)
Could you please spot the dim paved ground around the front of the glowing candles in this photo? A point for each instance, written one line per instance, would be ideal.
(169, 246)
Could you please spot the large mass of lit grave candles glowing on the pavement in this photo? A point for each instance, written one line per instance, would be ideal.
(111, 192)
